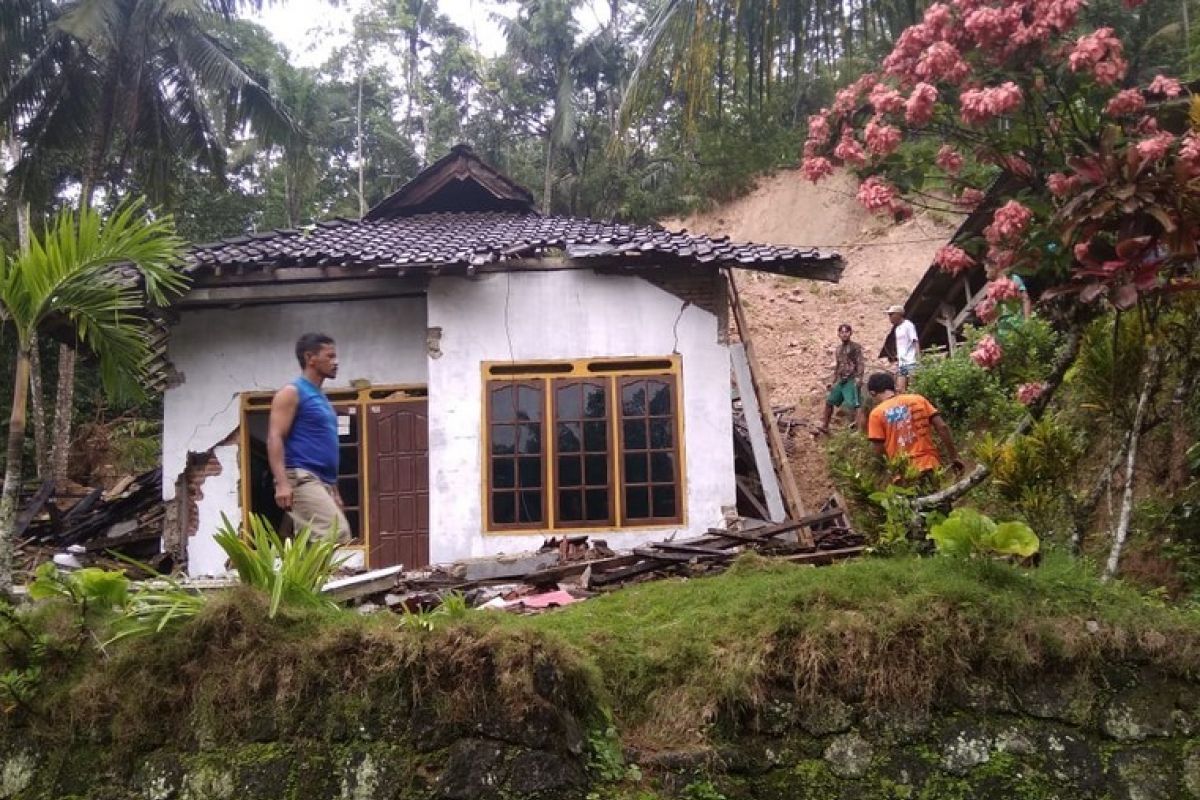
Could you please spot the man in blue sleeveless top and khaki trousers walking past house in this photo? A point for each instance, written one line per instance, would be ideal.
(302, 444)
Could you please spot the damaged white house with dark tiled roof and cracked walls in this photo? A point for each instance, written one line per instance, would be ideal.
(505, 376)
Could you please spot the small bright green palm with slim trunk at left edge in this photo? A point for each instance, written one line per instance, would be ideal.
(97, 279)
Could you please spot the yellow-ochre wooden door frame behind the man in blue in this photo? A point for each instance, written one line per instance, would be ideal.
(357, 396)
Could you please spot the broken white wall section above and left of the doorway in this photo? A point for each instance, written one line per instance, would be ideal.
(225, 353)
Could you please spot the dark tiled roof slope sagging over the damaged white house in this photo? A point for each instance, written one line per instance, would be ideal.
(482, 238)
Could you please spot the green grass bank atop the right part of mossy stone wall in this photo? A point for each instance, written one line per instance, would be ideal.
(676, 655)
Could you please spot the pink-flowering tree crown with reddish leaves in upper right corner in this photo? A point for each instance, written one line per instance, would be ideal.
(1096, 190)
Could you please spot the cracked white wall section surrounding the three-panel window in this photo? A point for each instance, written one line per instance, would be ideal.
(566, 315)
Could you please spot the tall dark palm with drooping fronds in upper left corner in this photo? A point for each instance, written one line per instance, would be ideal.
(130, 88)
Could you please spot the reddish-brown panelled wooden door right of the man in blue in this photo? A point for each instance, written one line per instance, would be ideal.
(399, 484)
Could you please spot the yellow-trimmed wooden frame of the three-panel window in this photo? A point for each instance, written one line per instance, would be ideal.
(611, 374)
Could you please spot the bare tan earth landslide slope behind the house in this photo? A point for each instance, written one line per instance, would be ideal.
(794, 324)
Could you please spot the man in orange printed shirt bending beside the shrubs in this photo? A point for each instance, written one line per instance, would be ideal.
(903, 424)
